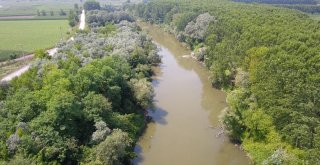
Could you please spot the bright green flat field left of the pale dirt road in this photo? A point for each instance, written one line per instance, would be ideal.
(24, 36)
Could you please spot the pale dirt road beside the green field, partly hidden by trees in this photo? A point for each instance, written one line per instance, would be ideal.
(30, 56)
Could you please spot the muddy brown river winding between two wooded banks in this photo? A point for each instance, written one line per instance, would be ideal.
(184, 128)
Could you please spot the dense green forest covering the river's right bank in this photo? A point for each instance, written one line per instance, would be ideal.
(267, 59)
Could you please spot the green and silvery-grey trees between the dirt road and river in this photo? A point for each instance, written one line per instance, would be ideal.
(86, 104)
